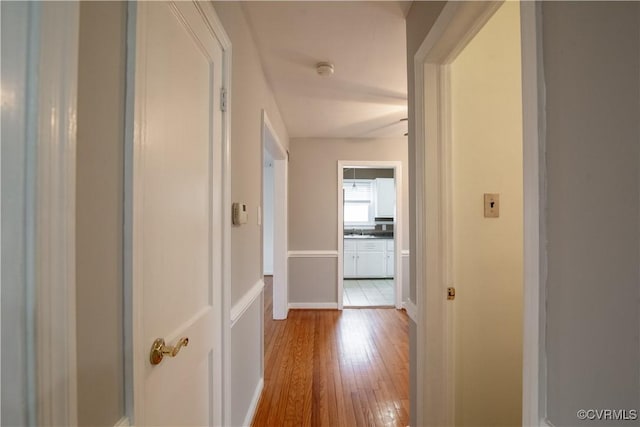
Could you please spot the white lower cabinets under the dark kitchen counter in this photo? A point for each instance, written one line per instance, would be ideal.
(368, 258)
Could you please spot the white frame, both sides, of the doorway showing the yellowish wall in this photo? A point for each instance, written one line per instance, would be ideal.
(457, 24)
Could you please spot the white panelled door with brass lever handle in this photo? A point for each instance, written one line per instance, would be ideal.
(177, 202)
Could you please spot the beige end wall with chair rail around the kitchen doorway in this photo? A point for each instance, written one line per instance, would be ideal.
(313, 207)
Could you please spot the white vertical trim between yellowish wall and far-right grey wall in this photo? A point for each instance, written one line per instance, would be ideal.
(534, 387)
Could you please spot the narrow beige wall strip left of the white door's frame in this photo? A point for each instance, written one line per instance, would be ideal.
(99, 212)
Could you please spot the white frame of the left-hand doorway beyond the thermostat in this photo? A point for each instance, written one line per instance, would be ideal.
(273, 145)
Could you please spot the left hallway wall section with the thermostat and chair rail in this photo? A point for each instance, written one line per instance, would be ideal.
(250, 94)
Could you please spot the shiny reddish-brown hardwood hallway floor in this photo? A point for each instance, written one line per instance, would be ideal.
(332, 368)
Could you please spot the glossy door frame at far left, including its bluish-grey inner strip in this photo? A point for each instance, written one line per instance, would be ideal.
(39, 96)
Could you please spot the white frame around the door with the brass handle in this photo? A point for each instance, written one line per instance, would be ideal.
(133, 293)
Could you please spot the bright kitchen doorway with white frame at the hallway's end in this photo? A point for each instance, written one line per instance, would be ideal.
(369, 266)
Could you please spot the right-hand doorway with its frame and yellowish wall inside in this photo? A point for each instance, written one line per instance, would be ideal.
(458, 243)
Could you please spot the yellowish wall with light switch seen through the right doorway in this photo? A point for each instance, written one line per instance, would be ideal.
(487, 252)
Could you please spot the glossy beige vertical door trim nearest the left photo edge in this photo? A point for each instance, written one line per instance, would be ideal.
(50, 123)
